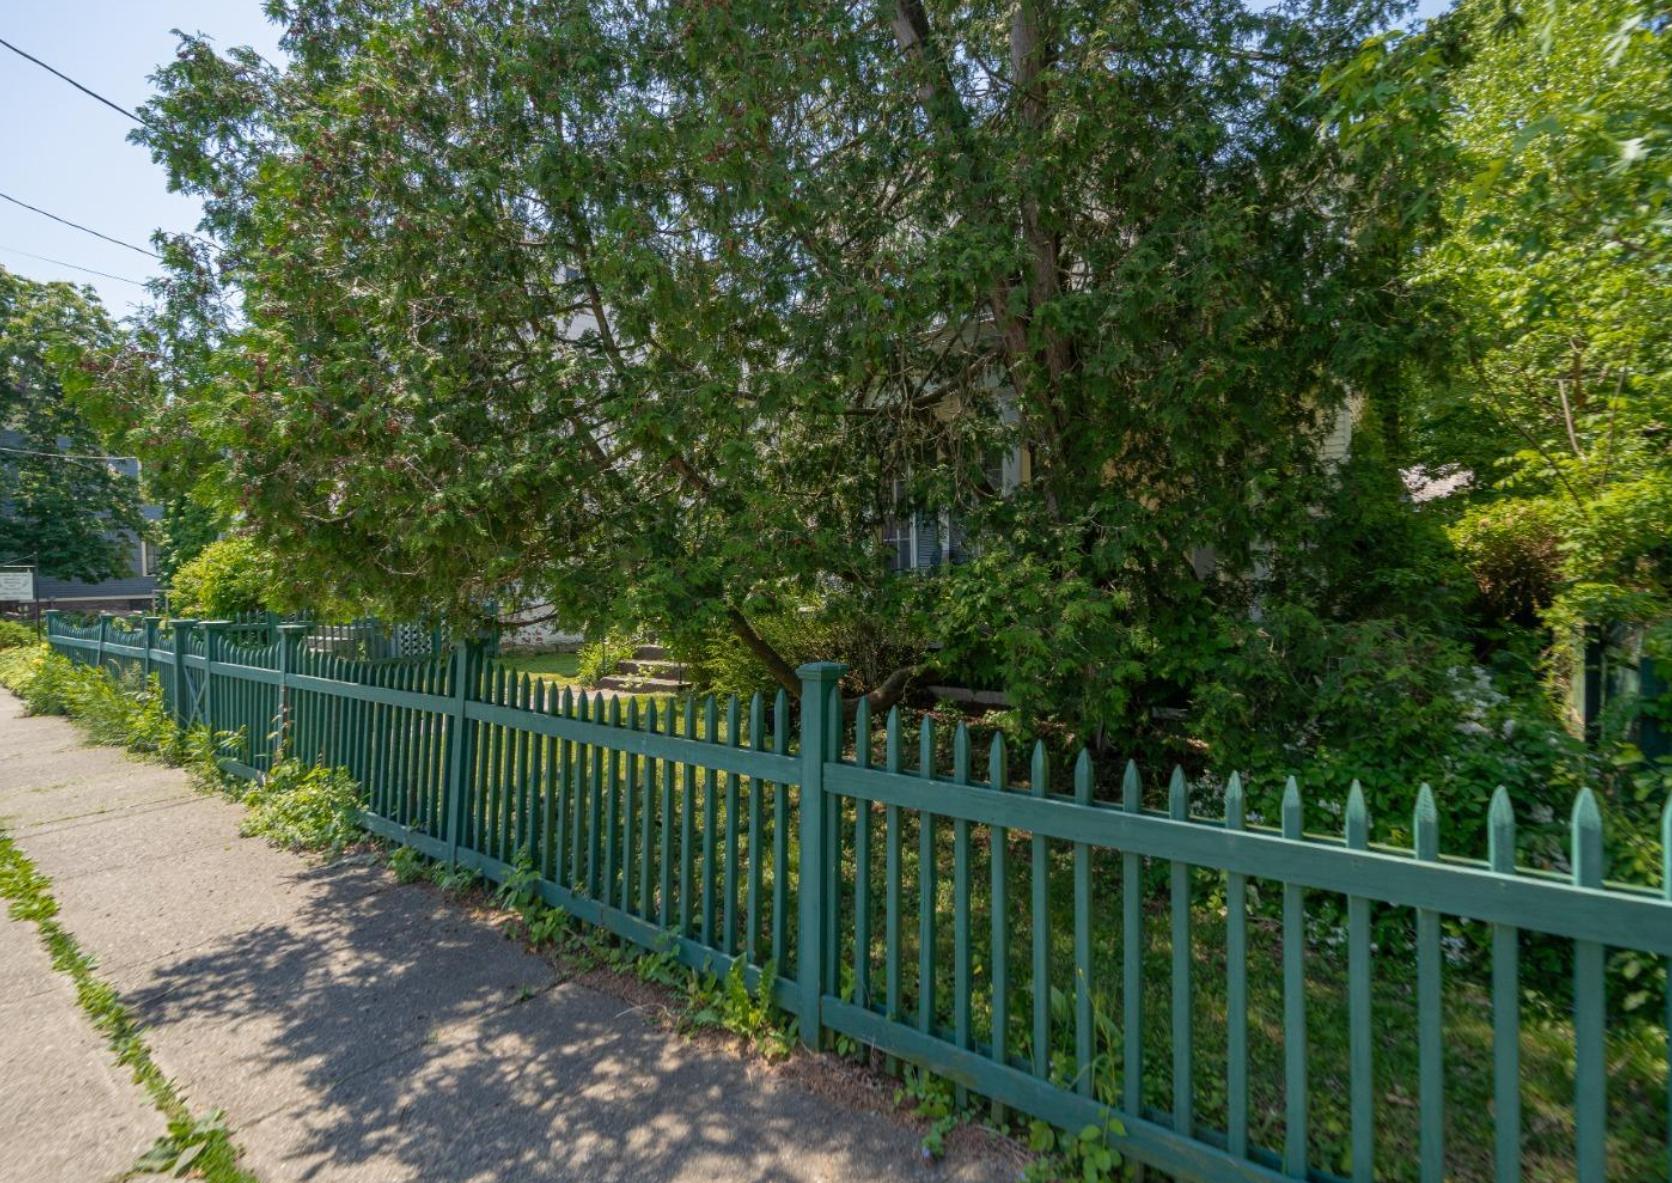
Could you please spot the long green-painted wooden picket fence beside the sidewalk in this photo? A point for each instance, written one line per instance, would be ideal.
(966, 925)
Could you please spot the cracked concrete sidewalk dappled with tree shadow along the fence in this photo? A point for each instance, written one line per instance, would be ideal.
(359, 1030)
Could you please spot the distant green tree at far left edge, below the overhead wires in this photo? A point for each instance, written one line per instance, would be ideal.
(68, 512)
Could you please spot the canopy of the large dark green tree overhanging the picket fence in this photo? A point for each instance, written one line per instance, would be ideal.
(651, 310)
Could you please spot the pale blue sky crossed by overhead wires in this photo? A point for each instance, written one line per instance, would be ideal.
(69, 155)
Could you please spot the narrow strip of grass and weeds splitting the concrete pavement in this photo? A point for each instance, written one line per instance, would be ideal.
(193, 1145)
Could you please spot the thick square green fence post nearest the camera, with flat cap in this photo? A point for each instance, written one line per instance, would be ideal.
(818, 681)
